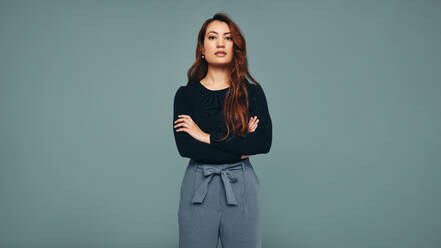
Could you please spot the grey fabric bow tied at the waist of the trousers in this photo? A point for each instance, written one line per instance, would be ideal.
(209, 172)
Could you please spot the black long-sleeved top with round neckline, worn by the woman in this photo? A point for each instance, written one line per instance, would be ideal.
(205, 107)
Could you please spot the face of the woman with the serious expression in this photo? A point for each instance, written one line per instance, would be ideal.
(218, 38)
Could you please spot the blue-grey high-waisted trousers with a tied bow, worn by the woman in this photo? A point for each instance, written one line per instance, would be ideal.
(220, 201)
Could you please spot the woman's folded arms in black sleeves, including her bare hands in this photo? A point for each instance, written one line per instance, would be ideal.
(192, 142)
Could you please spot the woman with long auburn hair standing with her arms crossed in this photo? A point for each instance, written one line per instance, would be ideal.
(219, 195)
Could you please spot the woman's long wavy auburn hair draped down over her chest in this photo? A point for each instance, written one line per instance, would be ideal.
(236, 116)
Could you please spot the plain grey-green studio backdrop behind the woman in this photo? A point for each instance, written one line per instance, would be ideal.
(87, 151)
